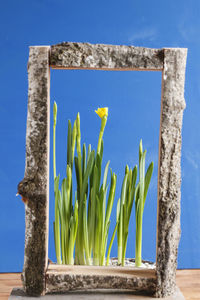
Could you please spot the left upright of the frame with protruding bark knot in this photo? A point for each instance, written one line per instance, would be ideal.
(34, 188)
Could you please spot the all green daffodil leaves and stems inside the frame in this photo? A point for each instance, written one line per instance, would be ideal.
(85, 224)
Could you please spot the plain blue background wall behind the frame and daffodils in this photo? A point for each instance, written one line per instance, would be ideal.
(133, 99)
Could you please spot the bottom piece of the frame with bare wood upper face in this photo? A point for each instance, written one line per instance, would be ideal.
(76, 278)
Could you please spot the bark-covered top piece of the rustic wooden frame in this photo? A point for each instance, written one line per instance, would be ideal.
(106, 57)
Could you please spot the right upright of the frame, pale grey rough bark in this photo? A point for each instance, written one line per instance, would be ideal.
(169, 176)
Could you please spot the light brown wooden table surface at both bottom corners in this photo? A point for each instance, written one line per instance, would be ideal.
(187, 280)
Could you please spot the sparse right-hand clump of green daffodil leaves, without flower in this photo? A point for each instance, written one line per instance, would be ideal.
(129, 192)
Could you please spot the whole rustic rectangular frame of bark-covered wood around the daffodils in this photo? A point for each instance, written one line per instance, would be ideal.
(37, 276)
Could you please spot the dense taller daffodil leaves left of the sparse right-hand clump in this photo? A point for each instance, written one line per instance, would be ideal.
(86, 225)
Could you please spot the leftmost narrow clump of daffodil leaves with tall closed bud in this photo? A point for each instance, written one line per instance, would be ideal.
(66, 215)
